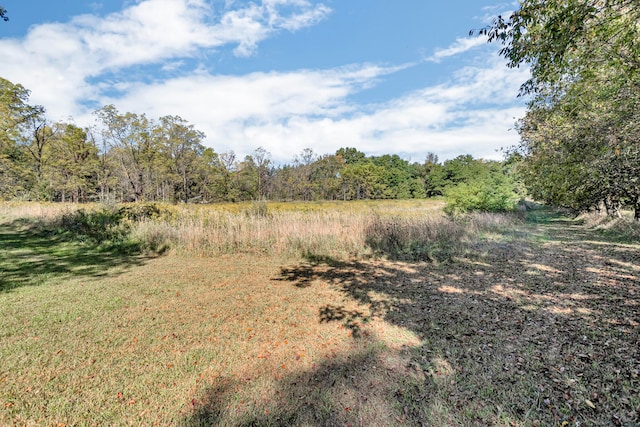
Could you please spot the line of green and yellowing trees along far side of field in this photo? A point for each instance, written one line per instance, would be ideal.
(130, 157)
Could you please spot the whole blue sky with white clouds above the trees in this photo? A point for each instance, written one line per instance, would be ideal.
(386, 77)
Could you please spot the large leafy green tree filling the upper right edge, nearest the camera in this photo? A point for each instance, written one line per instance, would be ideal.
(580, 137)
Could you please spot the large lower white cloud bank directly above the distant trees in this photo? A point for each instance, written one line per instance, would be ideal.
(287, 112)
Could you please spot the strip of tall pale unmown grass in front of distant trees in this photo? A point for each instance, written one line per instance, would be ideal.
(415, 231)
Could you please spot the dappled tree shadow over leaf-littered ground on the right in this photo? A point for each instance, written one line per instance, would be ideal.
(534, 331)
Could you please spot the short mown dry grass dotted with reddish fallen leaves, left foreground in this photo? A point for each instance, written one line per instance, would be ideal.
(196, 341)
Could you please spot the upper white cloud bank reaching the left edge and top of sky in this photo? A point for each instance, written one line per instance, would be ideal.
(57, 60)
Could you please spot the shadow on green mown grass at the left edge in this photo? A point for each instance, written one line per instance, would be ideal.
(32, 255)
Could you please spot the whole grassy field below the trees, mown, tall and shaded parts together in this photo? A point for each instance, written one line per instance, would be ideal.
(360, 314)
